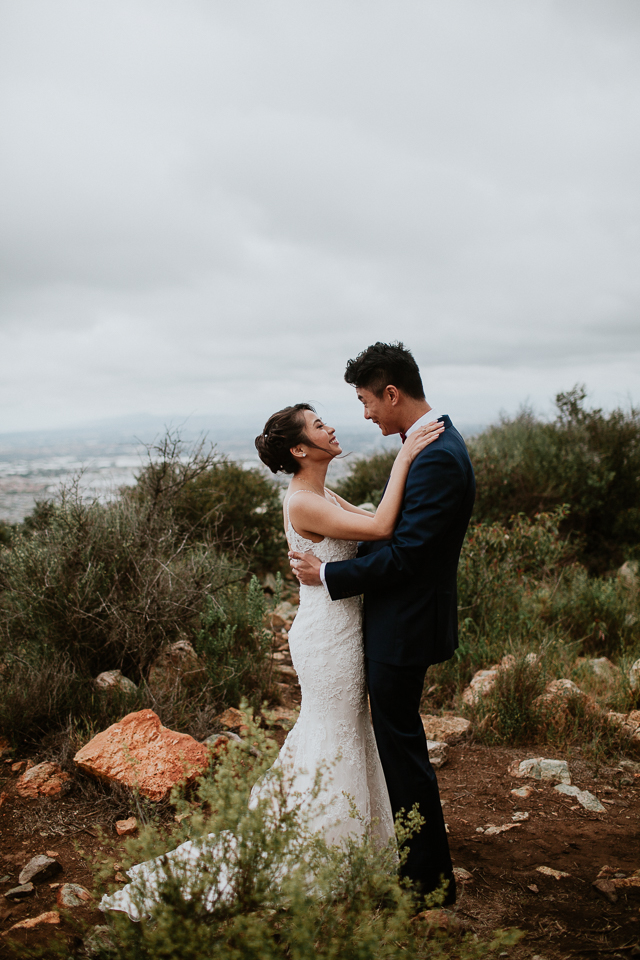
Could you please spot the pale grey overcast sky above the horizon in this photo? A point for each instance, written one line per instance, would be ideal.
(209, 207)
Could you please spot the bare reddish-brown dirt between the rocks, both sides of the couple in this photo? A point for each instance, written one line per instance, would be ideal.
(562, 918)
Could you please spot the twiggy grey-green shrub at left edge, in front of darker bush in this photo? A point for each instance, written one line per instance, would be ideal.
(105, 585)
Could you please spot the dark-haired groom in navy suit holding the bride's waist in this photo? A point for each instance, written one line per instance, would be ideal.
(410, 603)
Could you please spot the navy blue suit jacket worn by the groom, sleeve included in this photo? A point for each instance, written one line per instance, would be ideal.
(409, 582)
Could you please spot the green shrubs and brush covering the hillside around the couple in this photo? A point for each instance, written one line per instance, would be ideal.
(548, 587)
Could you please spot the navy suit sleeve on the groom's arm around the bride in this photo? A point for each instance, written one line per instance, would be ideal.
(435, 488)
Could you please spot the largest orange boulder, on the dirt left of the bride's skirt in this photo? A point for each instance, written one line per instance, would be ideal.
(142, 754)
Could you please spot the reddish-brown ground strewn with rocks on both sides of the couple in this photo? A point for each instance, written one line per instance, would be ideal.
(528, 855)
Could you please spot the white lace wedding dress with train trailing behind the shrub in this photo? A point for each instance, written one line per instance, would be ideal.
(333, 736)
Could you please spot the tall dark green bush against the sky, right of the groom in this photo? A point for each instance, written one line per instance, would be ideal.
(584, 458)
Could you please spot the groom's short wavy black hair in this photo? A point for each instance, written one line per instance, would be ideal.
(383, 365)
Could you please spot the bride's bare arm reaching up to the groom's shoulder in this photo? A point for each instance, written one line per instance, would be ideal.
(318, 516)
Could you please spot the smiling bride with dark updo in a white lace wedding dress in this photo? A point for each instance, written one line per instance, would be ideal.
(334, 728)
